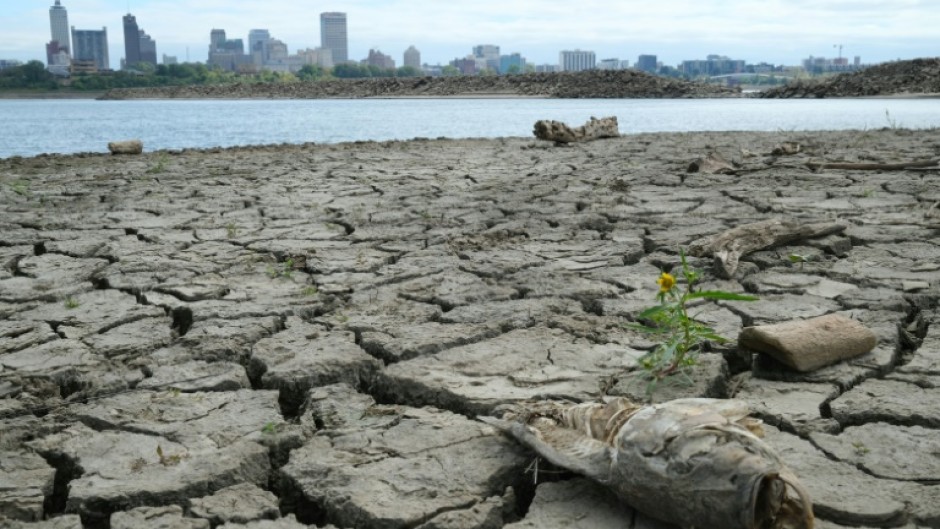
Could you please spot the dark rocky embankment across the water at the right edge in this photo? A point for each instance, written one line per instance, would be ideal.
(915, 77)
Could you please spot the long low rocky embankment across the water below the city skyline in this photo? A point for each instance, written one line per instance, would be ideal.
(593, 84)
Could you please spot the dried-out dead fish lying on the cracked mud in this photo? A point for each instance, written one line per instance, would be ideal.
(690, 462)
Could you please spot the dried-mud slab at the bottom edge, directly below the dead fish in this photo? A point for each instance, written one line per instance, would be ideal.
(576, 504)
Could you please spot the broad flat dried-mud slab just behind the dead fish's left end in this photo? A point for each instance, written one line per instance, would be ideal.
(522, 364)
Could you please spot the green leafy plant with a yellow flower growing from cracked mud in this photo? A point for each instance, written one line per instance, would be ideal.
(683, 336)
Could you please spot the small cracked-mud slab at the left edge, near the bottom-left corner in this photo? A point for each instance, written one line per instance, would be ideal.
(25, 483)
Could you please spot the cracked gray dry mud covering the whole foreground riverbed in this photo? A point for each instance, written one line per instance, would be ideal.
(290, 336)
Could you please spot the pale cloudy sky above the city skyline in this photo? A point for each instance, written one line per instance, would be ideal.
(775, 31)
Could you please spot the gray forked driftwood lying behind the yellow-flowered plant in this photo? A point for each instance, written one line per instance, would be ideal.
(728, 247)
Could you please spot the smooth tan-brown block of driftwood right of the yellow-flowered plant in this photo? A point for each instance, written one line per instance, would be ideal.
(807, 345)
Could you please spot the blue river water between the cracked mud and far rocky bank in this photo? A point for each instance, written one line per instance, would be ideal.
(30, 127)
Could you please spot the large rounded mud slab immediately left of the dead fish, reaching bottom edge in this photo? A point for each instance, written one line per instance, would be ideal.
(427, 462)
